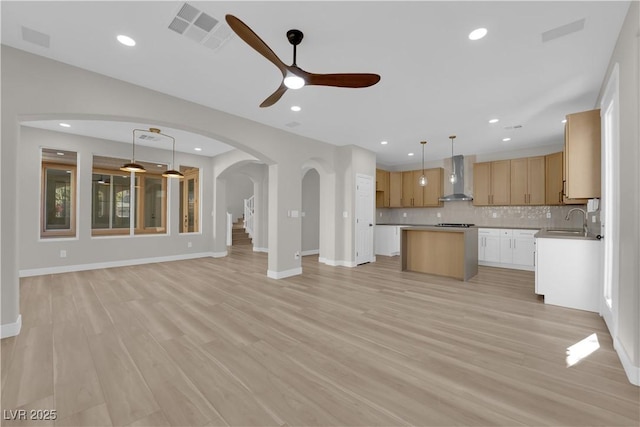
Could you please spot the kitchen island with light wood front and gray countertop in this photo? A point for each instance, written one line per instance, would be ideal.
(443, 251)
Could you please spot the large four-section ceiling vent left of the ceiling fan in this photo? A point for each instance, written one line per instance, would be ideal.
(200, 27)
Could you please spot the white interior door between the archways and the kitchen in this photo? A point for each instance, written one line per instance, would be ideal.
(364, 219)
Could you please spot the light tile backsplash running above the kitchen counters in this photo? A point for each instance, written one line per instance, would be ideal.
(490, 216)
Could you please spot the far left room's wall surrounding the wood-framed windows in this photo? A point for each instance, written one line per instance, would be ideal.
(39, 256)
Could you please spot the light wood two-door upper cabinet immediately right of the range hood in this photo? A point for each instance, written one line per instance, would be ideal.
(491, 183)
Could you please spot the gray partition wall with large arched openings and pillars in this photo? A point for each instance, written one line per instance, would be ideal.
(36, 88)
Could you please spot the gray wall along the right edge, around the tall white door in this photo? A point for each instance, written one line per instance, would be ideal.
(627, 56)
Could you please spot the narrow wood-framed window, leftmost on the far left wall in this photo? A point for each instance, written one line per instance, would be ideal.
(58, 193)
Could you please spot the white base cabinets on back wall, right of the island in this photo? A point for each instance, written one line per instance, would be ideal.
(507, 248)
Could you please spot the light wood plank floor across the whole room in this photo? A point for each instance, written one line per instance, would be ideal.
(214, 342)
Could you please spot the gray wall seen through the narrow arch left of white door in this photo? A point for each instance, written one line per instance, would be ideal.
(311, 209)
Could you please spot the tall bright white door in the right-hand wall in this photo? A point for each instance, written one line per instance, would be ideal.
(610, 203)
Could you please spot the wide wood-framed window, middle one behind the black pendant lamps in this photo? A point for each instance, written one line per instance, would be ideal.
(116, 203)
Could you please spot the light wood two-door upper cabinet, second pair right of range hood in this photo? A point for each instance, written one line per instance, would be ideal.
(527, 181)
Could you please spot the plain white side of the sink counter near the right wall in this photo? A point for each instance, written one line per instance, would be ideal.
(568, 272)
